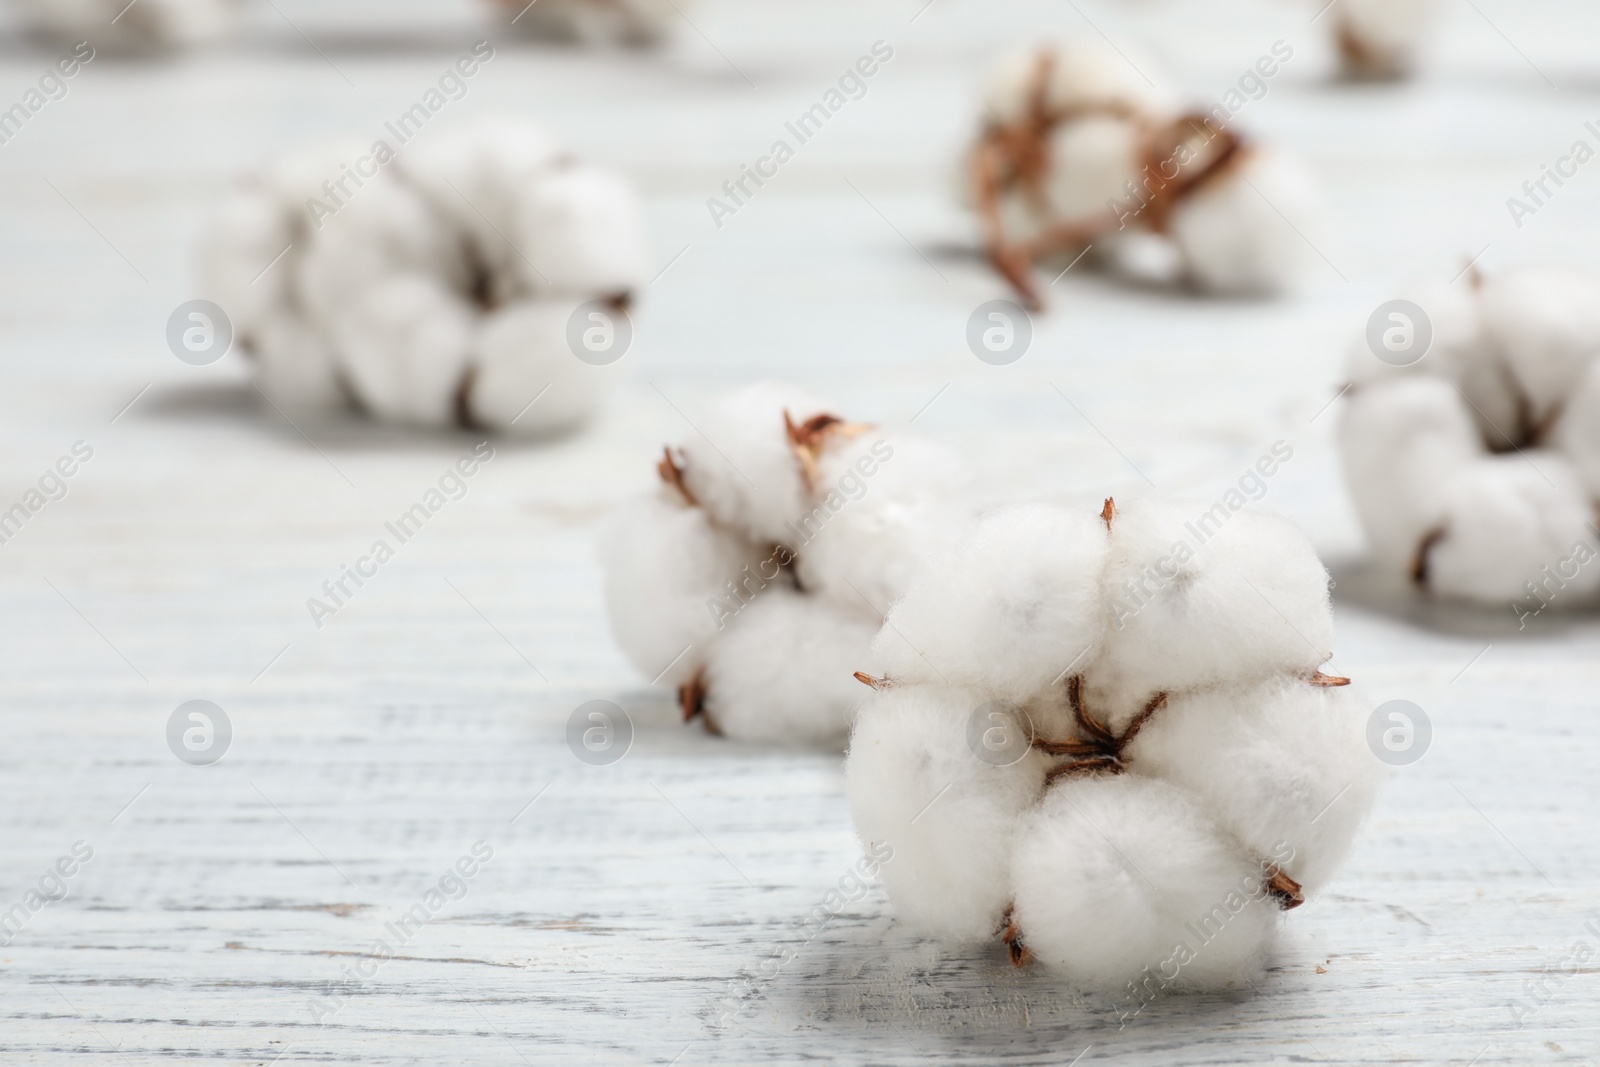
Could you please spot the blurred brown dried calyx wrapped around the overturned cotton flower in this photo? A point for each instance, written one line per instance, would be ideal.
(1175, 161)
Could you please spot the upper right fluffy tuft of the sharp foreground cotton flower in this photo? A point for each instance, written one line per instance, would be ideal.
(1196, 597)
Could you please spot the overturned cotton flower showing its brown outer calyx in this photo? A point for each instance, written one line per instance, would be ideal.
(1081, 151)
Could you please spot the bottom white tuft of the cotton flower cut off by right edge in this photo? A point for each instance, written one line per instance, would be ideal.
(1510, 522)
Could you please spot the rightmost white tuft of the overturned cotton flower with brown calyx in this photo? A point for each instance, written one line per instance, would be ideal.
(1247, 230)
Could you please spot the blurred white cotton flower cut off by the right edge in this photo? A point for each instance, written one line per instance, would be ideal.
(1474, 470)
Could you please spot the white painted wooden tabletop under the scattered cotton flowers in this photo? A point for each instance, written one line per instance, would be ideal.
(620, 908)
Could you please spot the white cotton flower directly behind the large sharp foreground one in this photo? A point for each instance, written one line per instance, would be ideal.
(754, 575)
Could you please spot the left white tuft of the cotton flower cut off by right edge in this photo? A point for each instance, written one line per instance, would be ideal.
(1402, 444)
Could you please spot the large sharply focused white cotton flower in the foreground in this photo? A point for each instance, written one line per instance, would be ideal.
(1108, 741)
